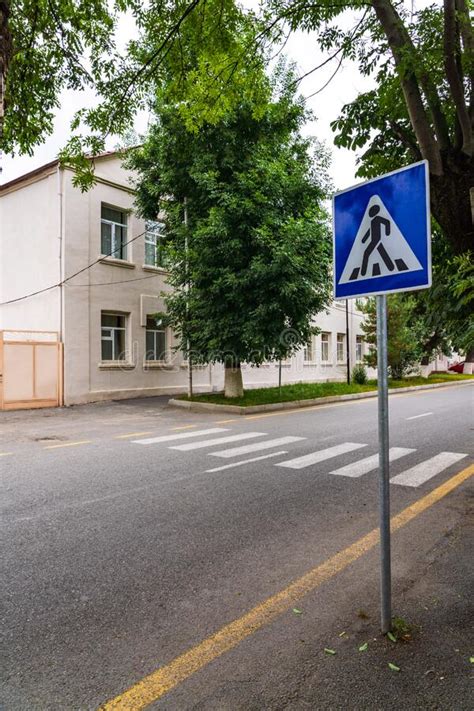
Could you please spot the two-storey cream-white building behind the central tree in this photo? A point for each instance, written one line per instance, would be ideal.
(101, 317)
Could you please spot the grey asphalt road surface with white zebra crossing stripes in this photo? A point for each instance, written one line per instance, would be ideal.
(120, 553)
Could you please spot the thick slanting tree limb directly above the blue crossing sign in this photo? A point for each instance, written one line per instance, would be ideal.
(393, 28)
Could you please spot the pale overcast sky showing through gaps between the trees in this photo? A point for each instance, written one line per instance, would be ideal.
(301, 47)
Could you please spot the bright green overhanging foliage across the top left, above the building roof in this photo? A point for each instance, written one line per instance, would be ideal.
(207, 54)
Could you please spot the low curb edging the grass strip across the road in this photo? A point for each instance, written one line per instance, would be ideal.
(296, 404)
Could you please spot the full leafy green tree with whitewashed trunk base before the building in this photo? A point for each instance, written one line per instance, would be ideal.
(251, 264)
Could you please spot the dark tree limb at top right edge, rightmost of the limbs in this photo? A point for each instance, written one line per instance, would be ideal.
(454, 79)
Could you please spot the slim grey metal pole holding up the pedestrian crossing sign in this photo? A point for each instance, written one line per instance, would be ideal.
(384, 486)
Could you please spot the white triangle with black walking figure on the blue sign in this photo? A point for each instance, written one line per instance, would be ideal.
(379, 248)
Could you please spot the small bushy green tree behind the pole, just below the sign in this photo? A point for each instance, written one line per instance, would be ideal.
(404, 350)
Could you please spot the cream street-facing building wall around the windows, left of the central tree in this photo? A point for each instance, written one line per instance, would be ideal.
(128, 287)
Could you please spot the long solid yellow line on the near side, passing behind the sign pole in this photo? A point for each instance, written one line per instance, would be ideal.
(158, 683)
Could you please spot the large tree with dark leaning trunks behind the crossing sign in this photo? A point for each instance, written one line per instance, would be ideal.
(423, 103)
